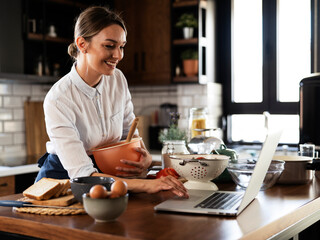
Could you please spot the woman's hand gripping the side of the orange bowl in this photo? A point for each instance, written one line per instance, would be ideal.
(139, 168)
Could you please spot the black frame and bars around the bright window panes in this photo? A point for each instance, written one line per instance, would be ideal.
(224, 62)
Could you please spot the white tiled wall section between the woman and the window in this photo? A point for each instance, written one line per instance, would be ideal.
(148, 99)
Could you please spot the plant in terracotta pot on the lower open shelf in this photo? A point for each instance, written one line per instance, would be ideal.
(190, 62)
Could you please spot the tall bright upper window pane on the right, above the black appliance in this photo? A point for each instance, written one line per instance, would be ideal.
(294, 42)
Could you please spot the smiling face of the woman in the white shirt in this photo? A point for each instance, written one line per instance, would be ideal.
(105, 50)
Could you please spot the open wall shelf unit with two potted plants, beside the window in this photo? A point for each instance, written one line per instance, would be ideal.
(202, 40)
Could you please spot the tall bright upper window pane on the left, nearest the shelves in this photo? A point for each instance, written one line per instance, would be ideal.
(247, 51)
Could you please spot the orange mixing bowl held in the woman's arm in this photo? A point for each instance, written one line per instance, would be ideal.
(108, 158)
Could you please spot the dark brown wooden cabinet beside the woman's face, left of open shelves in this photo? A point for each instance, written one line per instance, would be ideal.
(148, 51)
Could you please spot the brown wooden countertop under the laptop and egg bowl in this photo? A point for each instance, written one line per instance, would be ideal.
(281, 211)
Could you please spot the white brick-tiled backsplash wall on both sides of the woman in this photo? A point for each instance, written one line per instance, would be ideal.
(145, 99)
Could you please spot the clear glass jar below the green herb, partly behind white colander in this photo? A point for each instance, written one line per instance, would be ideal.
(171, 147)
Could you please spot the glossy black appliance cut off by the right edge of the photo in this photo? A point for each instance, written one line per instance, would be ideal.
(310, 110)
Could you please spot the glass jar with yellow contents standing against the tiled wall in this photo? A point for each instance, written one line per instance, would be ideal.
(197, 120)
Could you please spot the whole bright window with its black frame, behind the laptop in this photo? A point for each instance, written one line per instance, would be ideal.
(270, 52)
